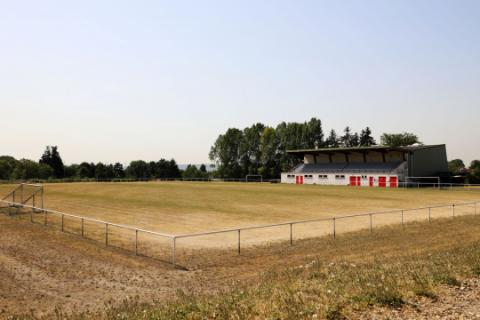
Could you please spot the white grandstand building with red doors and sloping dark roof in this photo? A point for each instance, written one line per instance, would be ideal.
(375, 166)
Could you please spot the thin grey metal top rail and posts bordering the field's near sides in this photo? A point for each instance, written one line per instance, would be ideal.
(170, 247)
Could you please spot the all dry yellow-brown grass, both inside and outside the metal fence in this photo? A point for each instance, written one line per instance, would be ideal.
(43, 270)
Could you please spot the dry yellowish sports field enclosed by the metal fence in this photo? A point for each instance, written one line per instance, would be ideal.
(185, 207)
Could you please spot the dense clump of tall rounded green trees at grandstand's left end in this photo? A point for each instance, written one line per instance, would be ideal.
(263, 150)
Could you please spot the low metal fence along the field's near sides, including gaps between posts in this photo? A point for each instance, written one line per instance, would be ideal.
(164, 246)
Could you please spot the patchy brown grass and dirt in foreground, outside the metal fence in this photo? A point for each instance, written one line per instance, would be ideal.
(315, 278)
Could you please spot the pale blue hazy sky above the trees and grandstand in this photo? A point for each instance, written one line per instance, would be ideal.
(124, 80)
